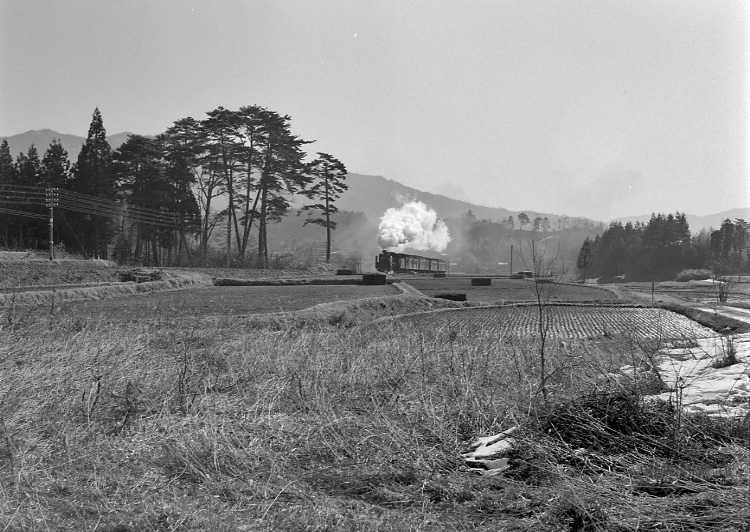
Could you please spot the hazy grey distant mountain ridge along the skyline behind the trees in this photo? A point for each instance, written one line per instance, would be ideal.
(371, 195)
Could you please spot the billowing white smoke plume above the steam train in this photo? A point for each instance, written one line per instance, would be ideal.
(413, 225)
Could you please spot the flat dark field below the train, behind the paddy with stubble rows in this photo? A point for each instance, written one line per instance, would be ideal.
(506, 290)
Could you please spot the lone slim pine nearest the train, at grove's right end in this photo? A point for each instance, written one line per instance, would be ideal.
(328, 174)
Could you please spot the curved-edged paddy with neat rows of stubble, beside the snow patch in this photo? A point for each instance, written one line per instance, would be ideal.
(567, 321)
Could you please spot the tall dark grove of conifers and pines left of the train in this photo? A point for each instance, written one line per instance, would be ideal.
(246, 159)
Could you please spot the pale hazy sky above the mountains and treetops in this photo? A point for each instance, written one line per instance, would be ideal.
(589, 108)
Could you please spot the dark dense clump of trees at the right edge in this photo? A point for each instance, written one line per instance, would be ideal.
(662, 247)
